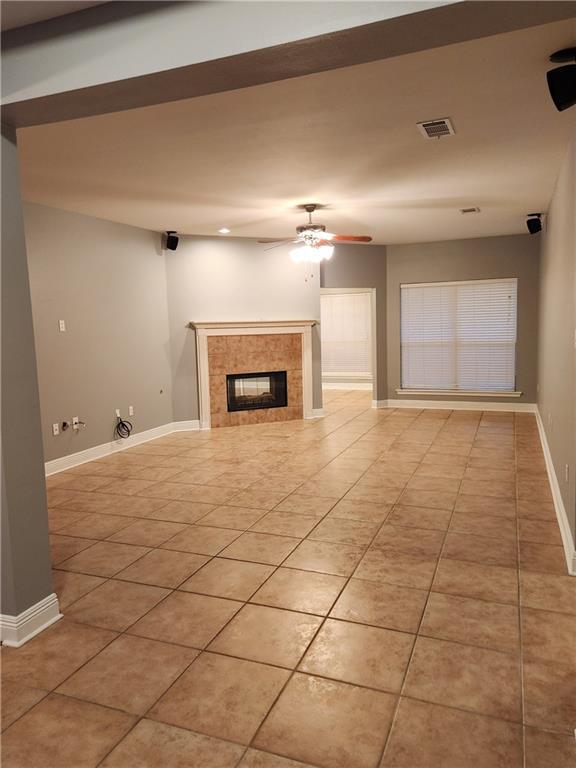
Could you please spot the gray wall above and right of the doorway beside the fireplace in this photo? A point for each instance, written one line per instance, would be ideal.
(364, 266)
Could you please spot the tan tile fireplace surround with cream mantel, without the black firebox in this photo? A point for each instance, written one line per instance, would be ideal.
(250, 347)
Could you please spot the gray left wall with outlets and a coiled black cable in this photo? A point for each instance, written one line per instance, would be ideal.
(108, 282)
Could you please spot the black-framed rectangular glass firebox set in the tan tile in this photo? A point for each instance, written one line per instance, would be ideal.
(251, 391)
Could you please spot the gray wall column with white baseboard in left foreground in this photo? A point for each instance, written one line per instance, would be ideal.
(28, 603)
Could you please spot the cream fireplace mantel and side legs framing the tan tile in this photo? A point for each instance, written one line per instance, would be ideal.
(245, 327)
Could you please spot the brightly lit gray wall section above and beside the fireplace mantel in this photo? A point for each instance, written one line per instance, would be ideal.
(230, 279)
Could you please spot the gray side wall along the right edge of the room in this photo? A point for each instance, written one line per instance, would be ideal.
(557, 352)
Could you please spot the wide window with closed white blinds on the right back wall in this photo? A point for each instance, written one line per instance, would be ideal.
(459, 336)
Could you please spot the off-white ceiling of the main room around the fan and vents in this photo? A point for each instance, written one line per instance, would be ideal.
(346, 138)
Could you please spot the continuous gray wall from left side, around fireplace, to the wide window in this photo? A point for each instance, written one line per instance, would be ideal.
(127, 306)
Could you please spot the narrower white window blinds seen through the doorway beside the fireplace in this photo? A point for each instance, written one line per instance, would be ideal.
(345, 331)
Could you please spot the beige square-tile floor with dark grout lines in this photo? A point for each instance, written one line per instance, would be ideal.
(377, 588)
